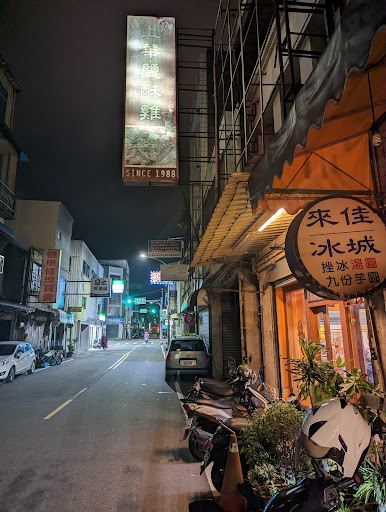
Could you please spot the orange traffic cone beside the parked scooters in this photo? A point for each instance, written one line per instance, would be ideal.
(231, 500)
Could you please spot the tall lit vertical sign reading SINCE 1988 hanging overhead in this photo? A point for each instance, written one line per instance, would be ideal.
(150, 135)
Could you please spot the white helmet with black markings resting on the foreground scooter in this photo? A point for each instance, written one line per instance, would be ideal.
(335, 429)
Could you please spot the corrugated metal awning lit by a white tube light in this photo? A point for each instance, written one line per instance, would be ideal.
(233, 229)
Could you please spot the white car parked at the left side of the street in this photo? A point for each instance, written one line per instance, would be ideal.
(15, 357)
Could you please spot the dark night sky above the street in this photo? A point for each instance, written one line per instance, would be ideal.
(68, 57)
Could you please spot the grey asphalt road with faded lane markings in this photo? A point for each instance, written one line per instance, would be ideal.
(97, 433)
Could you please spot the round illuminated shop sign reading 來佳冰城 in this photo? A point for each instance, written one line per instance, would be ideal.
(336, 248)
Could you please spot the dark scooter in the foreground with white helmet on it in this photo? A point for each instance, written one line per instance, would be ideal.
(333, 423)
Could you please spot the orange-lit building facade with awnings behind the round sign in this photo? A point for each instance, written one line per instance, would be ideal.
(299, 115)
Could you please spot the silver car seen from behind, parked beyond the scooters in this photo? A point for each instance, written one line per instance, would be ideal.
(187, 355)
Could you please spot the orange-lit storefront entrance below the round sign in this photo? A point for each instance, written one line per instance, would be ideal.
(341, 326)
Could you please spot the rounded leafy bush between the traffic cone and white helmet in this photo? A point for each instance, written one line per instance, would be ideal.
(269, 445)
